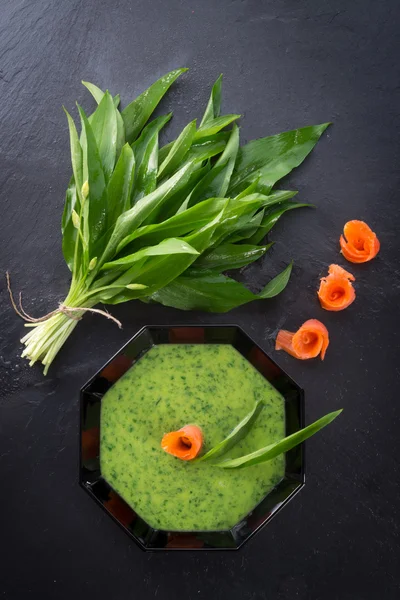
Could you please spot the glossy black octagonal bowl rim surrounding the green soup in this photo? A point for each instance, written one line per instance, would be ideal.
(90, 477)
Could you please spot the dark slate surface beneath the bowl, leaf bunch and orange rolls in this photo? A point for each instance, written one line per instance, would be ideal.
(286, 64)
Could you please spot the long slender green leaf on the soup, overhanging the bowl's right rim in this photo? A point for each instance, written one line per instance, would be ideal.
(284, 445)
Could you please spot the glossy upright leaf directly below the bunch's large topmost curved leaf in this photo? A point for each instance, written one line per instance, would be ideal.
(146, 154)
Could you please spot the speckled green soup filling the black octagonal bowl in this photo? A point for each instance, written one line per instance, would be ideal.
(211, 386)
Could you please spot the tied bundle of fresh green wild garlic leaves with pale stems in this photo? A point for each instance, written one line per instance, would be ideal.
(164, 224)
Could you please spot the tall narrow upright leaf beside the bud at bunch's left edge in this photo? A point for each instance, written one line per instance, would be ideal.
(97, 201)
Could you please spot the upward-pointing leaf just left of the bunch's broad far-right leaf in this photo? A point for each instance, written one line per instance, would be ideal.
(216, 182)
